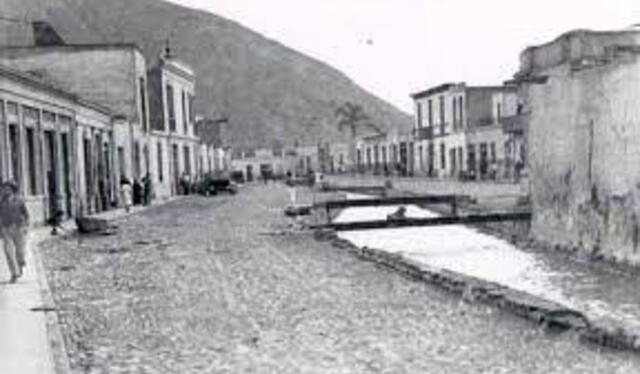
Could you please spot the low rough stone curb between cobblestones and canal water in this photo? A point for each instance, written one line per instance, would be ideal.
(549, 314)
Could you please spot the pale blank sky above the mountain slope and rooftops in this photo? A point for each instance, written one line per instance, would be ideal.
(396, 47)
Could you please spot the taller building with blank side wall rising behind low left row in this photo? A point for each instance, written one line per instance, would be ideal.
(112, 75)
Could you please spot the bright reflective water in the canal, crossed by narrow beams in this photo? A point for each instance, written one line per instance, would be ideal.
(601, 293)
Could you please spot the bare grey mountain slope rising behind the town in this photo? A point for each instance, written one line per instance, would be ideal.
(271, 94)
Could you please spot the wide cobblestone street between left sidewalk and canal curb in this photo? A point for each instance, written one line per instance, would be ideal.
(208, 285)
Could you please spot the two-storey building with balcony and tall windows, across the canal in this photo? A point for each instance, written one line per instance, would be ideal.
(459, 131)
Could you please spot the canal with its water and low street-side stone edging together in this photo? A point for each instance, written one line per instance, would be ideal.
(540, 285)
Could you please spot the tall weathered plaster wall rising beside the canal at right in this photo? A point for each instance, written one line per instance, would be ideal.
(585, 158)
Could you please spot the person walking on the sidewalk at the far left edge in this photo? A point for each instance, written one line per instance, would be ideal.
(14, 228)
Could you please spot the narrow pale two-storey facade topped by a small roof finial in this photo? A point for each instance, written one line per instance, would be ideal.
(175, 145)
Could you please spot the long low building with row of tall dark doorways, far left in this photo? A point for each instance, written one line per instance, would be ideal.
(56, 146)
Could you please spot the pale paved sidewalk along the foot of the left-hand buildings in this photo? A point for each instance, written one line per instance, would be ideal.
(30, 342)
